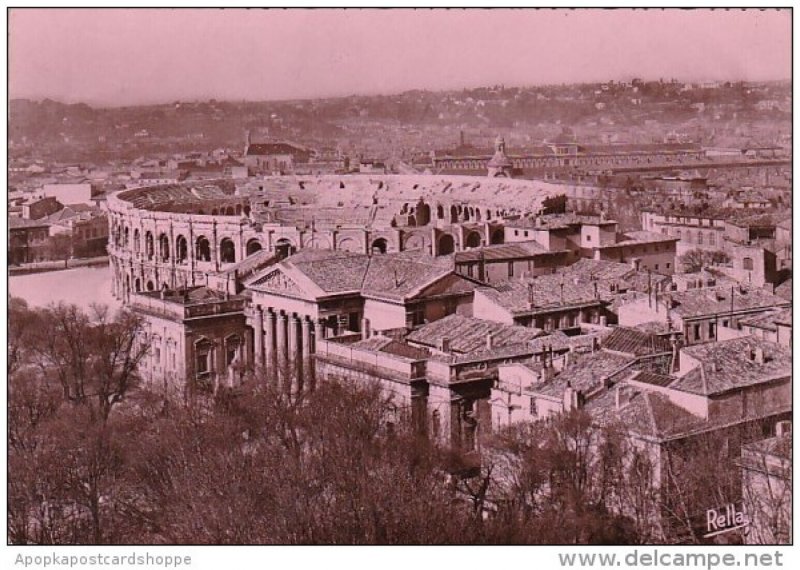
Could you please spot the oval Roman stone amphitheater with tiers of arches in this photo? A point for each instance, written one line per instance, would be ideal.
(173, 236)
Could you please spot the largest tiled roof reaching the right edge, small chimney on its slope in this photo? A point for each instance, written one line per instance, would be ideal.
(729, 364)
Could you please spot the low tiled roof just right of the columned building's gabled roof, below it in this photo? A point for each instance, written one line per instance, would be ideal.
(467, 334)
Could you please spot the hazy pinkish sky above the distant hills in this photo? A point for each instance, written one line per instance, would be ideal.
(117, 57)
